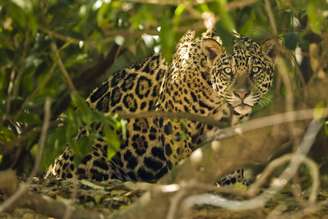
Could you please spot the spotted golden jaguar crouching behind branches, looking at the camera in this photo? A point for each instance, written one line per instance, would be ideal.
(202, 79)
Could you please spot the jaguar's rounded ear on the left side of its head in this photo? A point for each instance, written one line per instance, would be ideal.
(212, 49)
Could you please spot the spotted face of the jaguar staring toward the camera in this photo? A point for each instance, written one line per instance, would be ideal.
(243, 76)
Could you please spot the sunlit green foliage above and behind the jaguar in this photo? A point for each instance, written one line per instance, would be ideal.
(84, 31)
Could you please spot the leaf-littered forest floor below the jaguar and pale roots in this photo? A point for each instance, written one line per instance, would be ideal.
(53, 199)
